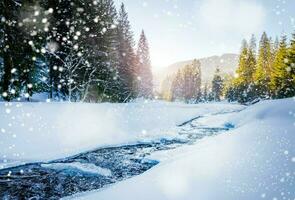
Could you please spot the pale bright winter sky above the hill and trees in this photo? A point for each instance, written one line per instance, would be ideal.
(180, 30)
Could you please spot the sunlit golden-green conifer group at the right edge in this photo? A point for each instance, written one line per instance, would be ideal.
(268, 73)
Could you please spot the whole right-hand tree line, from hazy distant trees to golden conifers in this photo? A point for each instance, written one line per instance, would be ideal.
(264, 72)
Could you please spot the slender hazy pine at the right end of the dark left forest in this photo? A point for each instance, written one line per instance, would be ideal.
(144, 72)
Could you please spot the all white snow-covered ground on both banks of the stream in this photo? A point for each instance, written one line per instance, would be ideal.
(253, 160)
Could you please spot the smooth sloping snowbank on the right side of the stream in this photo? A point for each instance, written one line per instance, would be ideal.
(255, 160)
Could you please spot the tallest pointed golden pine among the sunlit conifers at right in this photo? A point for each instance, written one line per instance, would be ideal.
(263, 69)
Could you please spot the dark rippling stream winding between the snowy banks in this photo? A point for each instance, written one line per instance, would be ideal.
(94, 169)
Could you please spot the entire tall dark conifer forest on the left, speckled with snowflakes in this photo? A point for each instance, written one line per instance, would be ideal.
(71, 50)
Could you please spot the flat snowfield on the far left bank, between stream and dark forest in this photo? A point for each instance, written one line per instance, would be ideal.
(44, 131)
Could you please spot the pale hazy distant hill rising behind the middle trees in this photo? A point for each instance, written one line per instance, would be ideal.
(227, 64)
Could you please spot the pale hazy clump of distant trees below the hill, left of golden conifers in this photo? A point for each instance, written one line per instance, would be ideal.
(186, 85)
